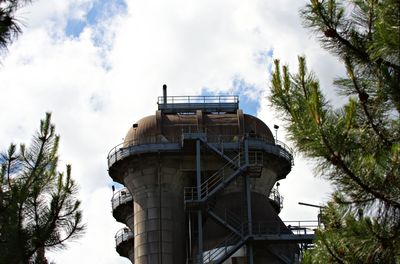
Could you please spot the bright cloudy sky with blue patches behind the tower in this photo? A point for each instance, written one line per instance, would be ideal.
(99, 66)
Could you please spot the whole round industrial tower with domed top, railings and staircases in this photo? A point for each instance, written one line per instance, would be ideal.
(200, 177)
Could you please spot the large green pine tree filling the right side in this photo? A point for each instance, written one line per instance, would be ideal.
(356, 145)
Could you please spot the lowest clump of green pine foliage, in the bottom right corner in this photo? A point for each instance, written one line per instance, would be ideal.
(351, 237)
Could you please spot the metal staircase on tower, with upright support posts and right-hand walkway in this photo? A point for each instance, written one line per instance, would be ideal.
(239, 162)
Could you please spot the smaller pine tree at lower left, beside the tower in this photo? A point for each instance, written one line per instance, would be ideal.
(38, 205)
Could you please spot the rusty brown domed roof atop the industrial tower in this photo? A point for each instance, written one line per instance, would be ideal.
(168, 127)
